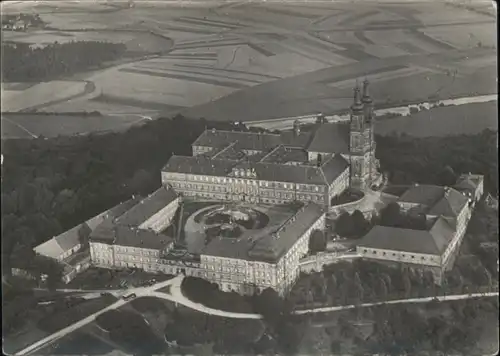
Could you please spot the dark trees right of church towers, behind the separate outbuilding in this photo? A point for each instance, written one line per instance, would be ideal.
(407, 159)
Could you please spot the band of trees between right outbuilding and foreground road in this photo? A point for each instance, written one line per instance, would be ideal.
(362, 281)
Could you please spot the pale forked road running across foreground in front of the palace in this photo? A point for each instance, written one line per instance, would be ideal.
(176, 296)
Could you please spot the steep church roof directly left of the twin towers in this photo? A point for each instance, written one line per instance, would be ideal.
(331, 138)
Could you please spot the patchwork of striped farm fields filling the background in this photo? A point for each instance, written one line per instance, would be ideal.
(254, 61)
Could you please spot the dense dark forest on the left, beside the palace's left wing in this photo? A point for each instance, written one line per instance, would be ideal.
(49, 186)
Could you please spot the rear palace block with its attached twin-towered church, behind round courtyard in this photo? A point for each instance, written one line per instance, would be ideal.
(311, 165)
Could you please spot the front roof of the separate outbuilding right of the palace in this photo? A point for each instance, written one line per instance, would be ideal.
(432, 242)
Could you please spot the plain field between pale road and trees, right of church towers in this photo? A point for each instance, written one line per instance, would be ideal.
(443, 121)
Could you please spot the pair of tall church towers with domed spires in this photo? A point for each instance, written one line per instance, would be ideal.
(360, 140)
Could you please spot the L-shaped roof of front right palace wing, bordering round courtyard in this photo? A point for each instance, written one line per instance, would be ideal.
(270, 247)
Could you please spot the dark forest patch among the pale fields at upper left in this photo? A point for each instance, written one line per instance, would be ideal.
(24, 63)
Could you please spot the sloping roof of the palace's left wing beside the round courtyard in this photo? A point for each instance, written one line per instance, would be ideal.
(148, 207)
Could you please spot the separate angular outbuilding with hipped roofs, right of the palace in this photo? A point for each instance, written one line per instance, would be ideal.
(447, 211)
